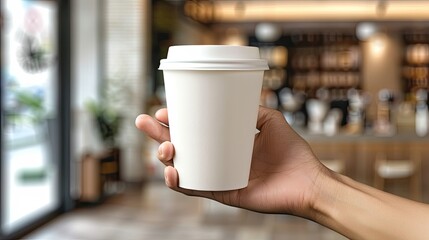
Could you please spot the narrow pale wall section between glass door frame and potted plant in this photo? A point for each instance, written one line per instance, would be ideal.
(84, 81)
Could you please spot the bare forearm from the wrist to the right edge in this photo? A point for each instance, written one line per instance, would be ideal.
(362, 212)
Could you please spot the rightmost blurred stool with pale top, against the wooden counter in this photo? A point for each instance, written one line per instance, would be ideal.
(395, 168)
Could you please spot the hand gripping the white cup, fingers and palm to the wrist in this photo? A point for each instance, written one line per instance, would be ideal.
(283, 172)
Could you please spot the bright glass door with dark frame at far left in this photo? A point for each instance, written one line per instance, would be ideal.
(30, 110)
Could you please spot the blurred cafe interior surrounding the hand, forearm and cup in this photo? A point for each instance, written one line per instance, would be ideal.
(351, 77)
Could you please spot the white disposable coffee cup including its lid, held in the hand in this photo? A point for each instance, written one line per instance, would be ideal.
(212, 94)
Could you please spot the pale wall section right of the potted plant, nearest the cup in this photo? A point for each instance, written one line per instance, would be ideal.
(126, 64)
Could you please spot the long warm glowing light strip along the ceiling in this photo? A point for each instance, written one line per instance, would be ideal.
(243, 11)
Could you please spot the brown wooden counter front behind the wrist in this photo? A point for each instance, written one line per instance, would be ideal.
(358, 152)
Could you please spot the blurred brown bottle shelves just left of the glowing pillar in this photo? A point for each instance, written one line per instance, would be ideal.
(330, 61)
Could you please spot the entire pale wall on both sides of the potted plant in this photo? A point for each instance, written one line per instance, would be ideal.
(120, 35)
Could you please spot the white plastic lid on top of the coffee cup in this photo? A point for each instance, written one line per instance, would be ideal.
(213, 57)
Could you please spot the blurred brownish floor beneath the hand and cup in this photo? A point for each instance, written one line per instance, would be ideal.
(155, 212)
